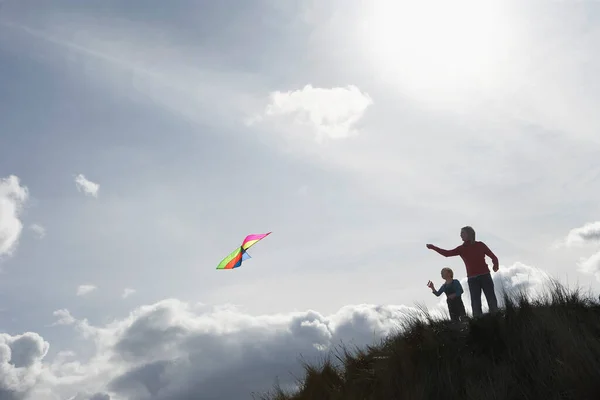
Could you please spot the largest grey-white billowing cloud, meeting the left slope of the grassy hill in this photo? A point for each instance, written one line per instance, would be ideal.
(191, 347)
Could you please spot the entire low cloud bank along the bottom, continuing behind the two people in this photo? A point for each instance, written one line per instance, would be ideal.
(175, 350)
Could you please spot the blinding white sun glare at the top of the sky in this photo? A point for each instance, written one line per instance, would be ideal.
(435, 49)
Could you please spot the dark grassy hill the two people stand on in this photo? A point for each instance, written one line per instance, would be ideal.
(544, 348)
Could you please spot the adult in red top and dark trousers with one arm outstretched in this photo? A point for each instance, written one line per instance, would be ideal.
(479, 277)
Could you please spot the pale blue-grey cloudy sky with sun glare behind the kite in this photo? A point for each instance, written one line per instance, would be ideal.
(141, 141)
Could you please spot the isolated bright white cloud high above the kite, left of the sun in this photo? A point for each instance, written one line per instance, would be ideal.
(331, 113)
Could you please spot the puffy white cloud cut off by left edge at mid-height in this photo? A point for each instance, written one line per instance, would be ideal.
(12, 198)
